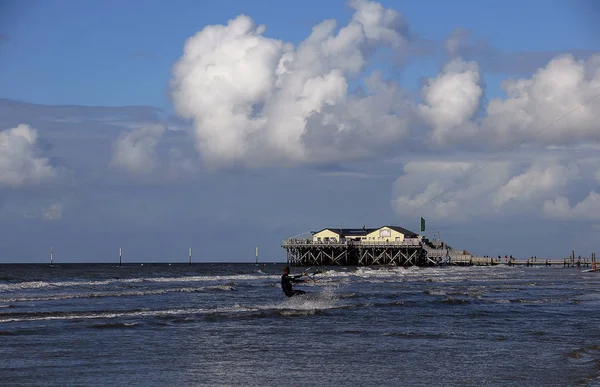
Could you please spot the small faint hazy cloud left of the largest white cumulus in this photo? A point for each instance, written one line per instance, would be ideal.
(135, 151)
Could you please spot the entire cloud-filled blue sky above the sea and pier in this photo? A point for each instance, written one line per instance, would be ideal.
(115, 176)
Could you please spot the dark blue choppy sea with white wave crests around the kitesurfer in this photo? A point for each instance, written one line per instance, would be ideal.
(220, 324)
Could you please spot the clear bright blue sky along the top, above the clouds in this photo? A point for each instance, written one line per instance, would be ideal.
(118, 53)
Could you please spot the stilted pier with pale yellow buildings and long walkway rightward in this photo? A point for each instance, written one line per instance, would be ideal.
(397, 246)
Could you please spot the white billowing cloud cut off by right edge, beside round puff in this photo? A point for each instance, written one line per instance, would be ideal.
(534, 104)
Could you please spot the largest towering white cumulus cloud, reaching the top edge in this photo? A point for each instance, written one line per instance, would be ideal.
(256, 100)
